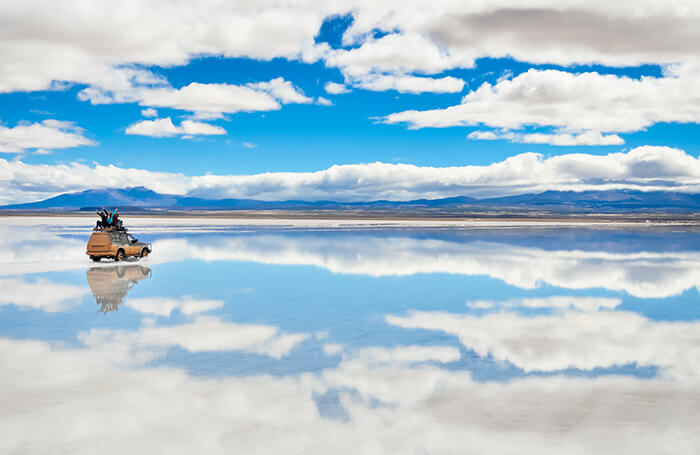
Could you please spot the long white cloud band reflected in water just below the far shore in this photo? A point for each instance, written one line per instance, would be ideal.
(648, 265)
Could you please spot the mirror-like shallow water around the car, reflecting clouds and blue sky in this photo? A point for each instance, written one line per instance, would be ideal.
(348, 338)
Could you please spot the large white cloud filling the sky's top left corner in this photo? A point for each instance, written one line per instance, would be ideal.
(37, 49)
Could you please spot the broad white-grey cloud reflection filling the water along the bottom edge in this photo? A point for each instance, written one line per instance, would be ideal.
(404, 408)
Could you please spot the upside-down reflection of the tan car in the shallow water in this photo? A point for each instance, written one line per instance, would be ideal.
(110, 285)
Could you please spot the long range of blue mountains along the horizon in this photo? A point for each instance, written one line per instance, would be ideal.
(140, 198)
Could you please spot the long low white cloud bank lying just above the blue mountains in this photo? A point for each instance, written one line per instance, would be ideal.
(644, 168)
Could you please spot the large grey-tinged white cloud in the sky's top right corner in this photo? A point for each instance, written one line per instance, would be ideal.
(535, 31)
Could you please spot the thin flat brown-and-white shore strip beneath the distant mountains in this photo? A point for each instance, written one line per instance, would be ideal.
(388, 216)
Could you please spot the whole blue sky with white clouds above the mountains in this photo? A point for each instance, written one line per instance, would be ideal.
(348, 100)
